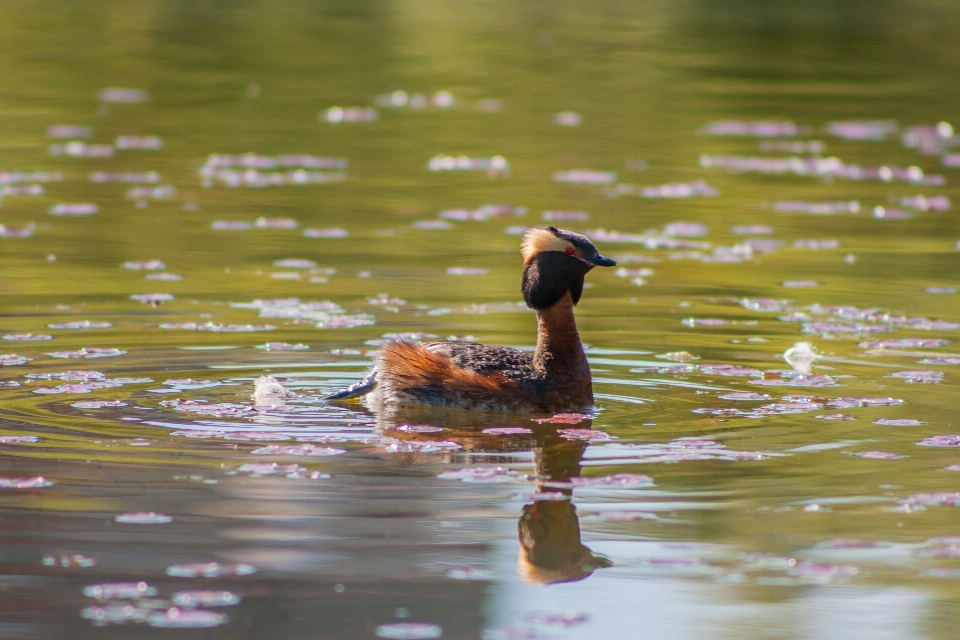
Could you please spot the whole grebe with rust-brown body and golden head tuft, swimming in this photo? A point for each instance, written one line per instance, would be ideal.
(475, 376)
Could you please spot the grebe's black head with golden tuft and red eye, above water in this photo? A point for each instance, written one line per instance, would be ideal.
(554, 263)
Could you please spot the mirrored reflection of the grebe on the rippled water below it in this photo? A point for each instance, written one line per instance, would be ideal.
(548, 529)
